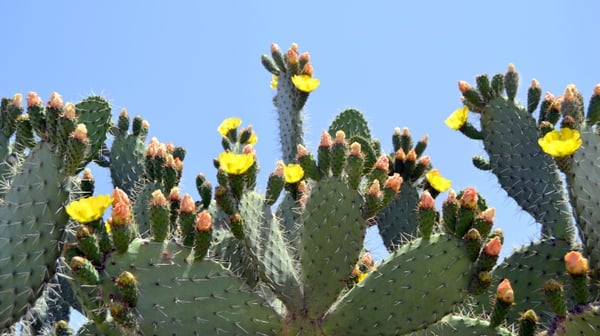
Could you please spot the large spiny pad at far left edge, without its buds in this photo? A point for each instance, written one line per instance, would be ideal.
(33, 221)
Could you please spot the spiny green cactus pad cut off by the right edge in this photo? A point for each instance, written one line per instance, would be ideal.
(583, 182)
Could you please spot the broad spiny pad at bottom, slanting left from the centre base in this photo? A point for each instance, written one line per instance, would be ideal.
(202, 298)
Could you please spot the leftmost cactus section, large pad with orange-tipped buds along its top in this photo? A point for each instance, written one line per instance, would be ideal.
(52, 142)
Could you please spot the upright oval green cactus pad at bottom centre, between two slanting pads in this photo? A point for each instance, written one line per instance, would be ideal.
(331, 240)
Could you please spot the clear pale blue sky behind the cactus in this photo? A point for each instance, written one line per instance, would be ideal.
(186, 65)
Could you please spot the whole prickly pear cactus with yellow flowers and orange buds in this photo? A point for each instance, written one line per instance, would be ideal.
(291, 260)
